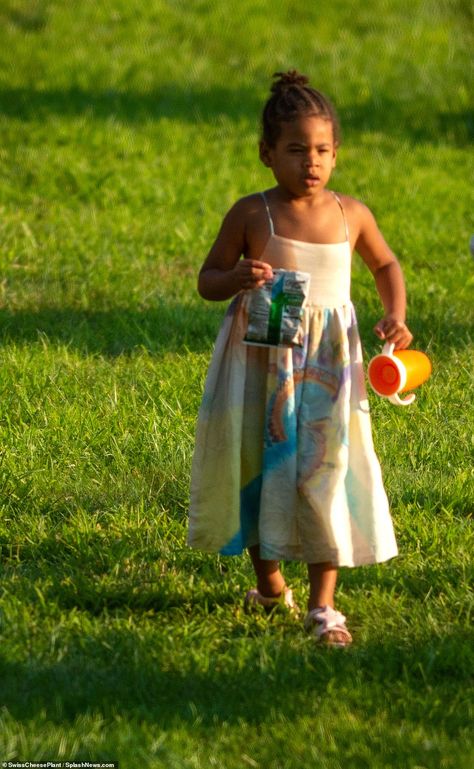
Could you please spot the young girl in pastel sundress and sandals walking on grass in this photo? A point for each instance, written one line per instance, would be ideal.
(284, 463)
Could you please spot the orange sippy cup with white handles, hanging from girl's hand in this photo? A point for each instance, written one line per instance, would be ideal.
(392, 373)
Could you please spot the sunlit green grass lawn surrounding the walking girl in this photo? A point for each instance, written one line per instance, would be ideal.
(126, 133)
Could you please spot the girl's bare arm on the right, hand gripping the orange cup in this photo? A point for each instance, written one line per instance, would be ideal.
(388, 276)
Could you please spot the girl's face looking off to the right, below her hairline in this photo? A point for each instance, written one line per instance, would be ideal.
(303, 156)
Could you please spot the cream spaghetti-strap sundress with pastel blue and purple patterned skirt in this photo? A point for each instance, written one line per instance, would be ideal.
(284, 456)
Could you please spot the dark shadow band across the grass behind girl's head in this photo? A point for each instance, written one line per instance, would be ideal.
(413, 120)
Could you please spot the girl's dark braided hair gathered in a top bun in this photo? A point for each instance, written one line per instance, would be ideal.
(293, 97)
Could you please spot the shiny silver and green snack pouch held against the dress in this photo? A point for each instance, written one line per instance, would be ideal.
(275, 310)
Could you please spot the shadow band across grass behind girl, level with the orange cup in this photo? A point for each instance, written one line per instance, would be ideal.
(180, 327)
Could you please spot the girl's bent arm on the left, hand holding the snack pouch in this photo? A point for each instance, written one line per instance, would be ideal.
(224, 273)
